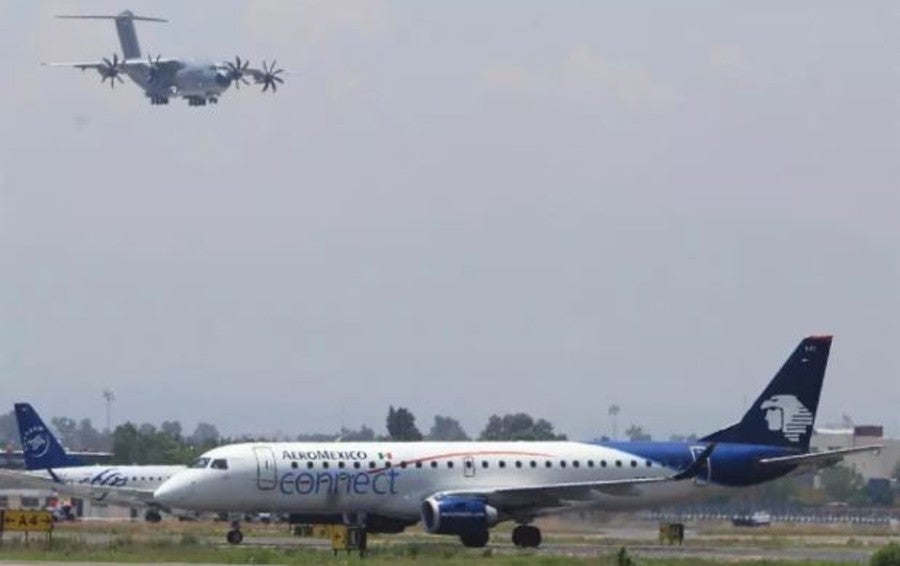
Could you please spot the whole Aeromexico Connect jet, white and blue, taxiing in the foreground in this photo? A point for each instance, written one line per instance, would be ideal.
(465, 488)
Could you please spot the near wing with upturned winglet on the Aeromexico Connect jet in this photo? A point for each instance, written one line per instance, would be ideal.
(556, 494)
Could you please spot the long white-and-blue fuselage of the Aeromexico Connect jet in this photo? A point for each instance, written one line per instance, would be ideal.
(393, 479)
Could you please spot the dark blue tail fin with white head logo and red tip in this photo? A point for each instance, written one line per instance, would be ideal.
(784, 413)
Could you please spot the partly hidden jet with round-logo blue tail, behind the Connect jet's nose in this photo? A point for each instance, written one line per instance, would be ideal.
(49, 467)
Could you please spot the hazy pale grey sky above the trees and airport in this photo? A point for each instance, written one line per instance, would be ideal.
(460, 207)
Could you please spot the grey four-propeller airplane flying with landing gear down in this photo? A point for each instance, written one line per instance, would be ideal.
(164, 78)
